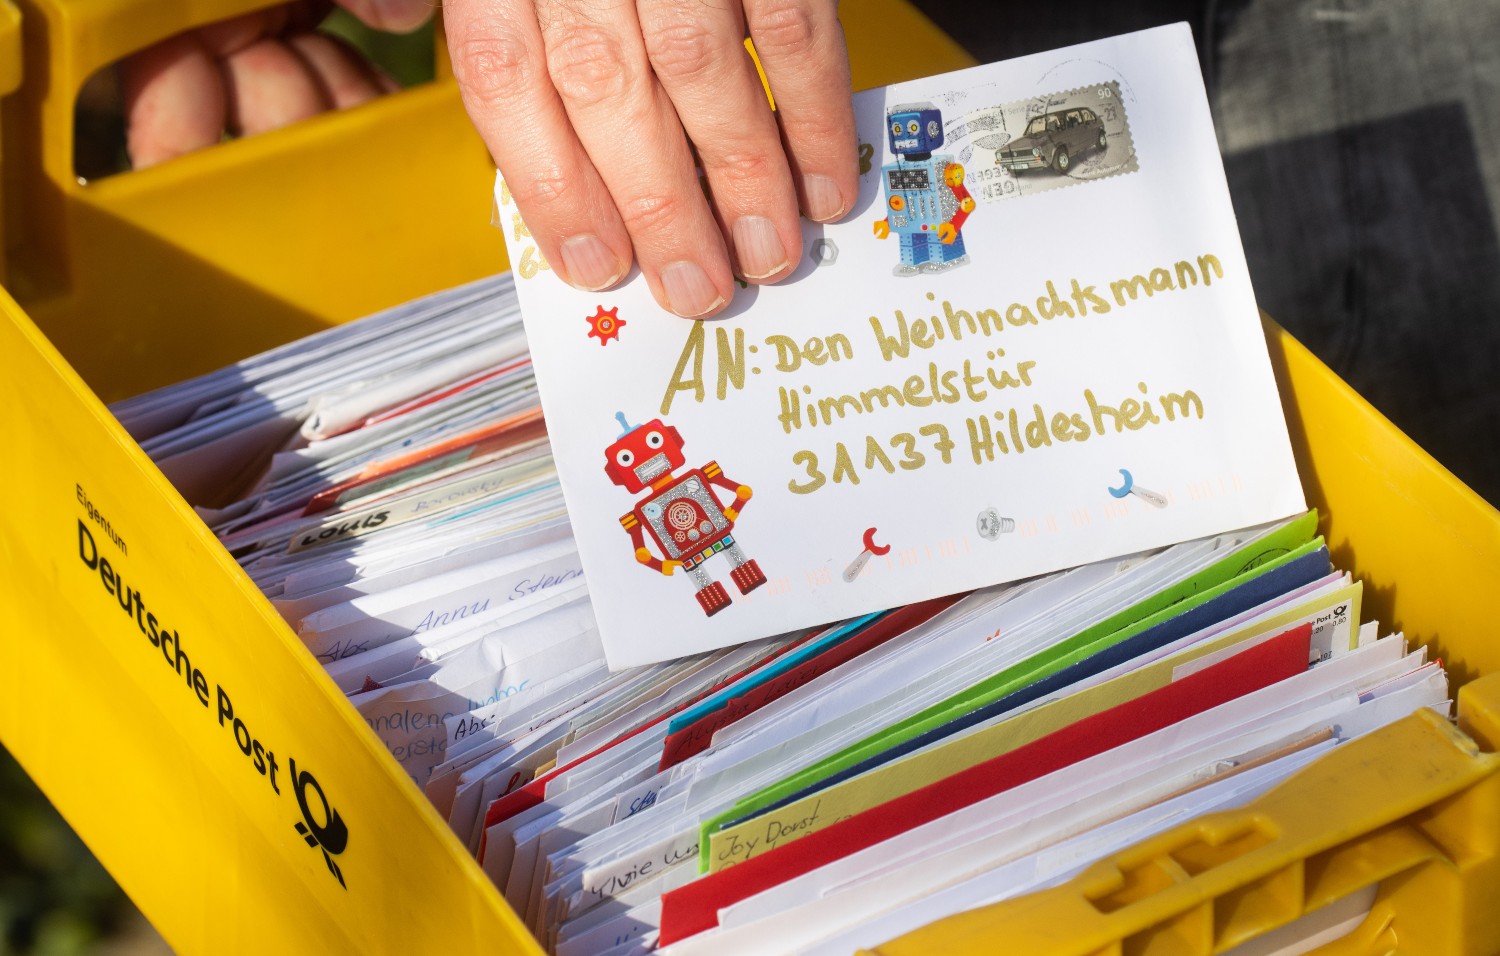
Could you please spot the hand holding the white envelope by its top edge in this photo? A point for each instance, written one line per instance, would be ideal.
(590, 109)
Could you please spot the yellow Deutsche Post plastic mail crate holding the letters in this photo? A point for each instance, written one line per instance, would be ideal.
(220, 775)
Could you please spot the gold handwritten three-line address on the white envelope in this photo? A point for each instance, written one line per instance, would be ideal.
(1012, 430)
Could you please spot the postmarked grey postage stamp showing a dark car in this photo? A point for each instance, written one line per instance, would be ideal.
(1045, 143)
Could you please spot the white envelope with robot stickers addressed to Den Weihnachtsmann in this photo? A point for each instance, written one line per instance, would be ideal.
(1030, 346)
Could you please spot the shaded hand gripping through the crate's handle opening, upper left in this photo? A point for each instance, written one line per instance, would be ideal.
(251, 74)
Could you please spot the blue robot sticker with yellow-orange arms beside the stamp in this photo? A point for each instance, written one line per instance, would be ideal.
(925, 194)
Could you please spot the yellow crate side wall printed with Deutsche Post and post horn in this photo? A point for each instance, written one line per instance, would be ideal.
(142, 753)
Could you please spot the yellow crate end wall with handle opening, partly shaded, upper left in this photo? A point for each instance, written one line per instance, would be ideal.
(155, 275)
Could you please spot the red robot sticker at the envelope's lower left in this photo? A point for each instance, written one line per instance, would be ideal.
(682, 513)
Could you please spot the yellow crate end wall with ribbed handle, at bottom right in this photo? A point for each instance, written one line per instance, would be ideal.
(1358, 817)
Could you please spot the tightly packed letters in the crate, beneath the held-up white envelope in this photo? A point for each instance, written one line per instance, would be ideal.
(815, 792)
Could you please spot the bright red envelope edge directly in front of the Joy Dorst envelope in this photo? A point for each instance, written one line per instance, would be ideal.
(695, 907)
